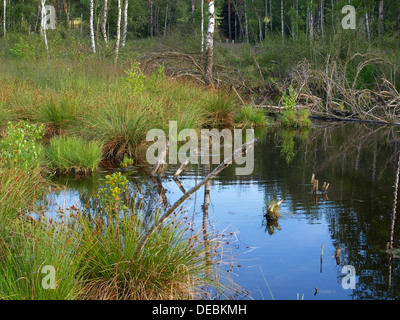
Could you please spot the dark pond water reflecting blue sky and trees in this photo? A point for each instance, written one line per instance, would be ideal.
(283, 260)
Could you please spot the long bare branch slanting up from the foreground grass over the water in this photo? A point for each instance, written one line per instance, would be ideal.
(228, 161)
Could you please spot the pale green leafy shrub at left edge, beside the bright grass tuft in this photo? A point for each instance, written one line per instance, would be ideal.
(19, 147)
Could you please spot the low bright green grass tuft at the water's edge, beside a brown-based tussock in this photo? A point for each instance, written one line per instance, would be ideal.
(68, 154)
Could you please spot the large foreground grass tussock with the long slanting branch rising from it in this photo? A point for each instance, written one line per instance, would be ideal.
(171, 266)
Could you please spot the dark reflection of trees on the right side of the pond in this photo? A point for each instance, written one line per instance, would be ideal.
(361, 162)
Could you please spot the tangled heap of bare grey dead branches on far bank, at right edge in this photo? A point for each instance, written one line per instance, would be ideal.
(328, 92)
